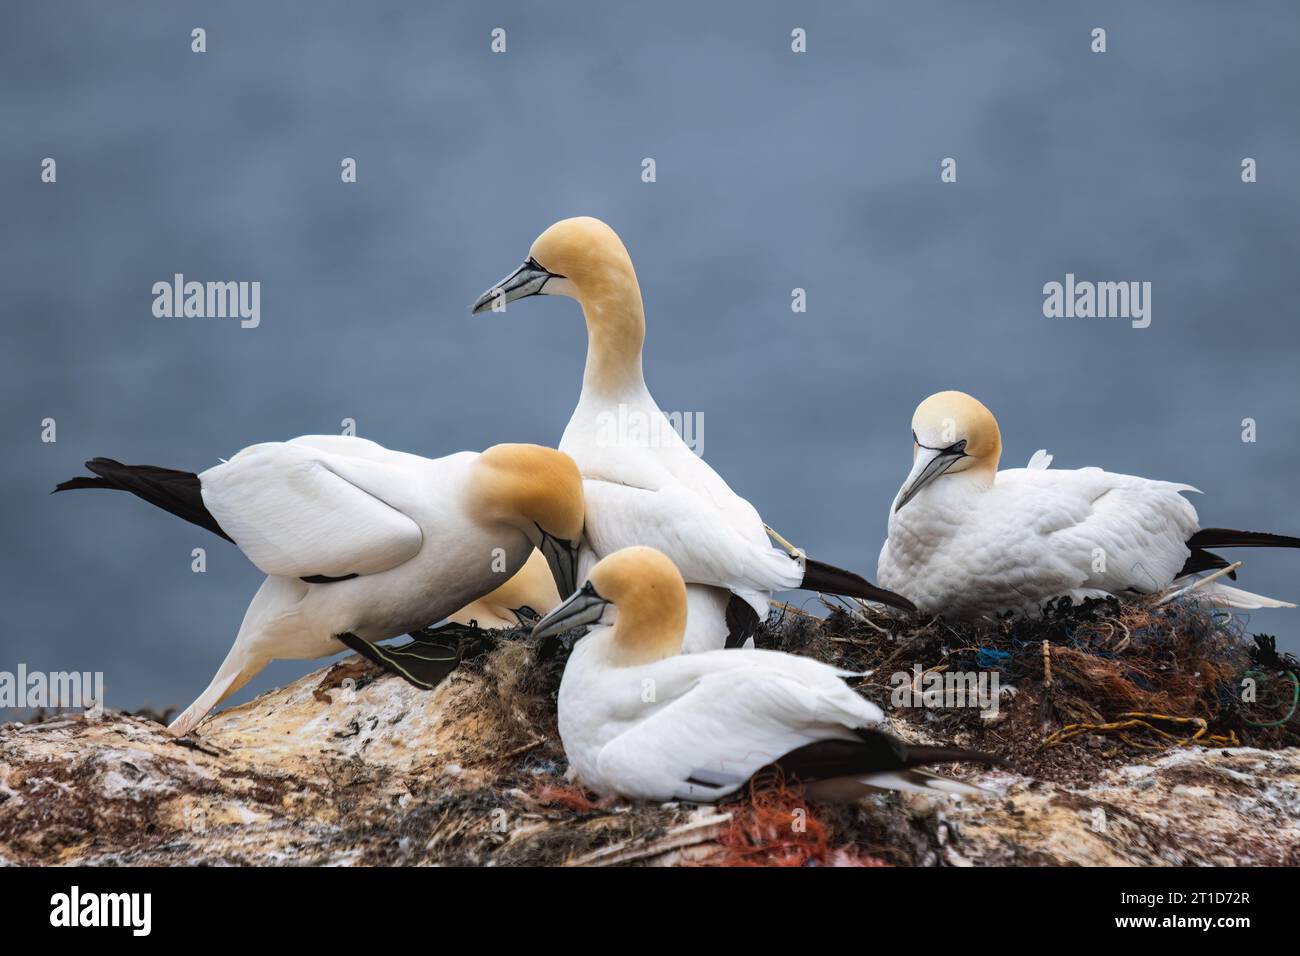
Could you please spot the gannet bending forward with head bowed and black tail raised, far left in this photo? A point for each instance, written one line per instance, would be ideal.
(361, 543)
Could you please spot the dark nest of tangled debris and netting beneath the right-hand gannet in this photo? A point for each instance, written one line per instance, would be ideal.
(1086, 684)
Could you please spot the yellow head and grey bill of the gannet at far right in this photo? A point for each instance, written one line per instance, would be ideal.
(952, 434)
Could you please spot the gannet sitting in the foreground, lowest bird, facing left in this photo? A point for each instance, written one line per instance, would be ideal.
(642, 720)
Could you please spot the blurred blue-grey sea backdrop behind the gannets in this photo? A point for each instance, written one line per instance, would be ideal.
(775, 171)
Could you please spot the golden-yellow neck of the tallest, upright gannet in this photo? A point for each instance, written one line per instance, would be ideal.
(616, 332)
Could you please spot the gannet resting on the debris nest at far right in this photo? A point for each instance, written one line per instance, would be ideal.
(967, 539)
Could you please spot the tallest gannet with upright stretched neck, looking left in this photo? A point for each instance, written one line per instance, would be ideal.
(644, 486)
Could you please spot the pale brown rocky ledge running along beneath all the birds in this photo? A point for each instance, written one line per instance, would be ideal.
(356, 768)
